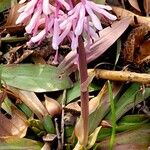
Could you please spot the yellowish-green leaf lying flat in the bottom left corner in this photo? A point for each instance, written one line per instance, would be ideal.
(13, 143)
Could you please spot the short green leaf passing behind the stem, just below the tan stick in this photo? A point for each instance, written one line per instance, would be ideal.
(75, 91)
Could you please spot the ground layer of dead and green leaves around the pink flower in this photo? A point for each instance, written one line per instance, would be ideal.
(34, 108)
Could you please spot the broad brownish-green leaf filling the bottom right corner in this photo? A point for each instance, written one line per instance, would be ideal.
(138, 139)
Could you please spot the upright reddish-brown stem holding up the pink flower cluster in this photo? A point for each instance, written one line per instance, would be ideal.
(83, 90)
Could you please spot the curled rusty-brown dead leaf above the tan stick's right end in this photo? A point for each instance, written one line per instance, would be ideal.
(135, 48)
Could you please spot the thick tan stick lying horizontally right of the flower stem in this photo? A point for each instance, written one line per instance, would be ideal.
(121, 75)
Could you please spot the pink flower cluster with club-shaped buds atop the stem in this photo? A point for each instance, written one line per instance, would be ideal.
(62, 19)
